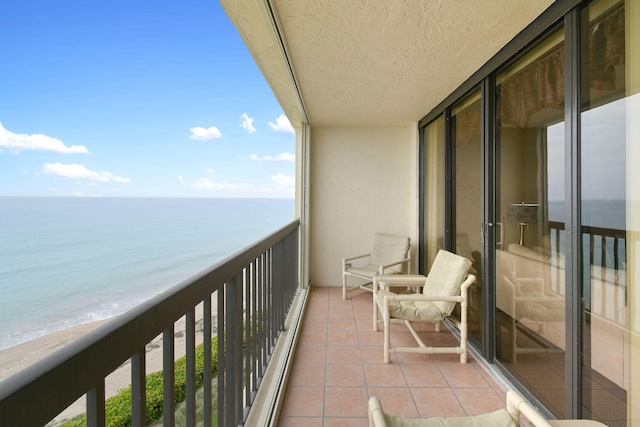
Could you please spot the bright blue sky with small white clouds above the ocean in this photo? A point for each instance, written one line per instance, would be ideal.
(135, 98)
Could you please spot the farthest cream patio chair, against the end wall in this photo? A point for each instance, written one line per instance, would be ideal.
(390, 255)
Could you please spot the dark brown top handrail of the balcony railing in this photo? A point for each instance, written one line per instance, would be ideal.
(100, 352)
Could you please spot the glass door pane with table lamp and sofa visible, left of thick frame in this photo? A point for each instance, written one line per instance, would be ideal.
(530, 288)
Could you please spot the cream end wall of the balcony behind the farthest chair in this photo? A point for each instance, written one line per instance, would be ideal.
(363, 181)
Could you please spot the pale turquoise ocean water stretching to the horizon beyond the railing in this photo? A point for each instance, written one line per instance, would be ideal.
(68, 261)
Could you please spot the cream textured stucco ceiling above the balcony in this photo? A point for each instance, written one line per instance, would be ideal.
(373, 62)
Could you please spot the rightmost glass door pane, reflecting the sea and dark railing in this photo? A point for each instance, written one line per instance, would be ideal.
(609, 94)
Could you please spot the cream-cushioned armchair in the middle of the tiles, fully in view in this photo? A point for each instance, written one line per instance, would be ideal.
(447, 283)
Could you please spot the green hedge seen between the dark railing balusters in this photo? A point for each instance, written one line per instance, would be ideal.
(118, 407)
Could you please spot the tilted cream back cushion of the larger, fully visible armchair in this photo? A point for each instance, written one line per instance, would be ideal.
(447, 273)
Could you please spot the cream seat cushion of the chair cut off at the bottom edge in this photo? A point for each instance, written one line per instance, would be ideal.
(499, 418)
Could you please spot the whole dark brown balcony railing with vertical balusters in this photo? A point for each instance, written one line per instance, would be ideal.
(251, 292)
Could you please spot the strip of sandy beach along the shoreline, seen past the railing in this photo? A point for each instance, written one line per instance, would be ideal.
(15, 359)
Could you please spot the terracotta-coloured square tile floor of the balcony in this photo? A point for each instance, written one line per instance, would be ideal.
(338, 365)
